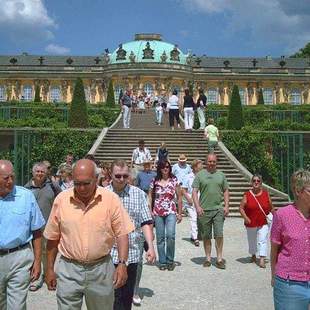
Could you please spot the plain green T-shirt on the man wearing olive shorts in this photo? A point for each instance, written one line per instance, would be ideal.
(211, 187)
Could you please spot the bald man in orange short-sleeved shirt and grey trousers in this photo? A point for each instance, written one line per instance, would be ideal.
(83, 225)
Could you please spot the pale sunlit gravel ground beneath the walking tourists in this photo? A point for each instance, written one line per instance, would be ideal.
(242, 286)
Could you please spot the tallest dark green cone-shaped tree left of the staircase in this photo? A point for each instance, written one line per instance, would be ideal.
(78, 116)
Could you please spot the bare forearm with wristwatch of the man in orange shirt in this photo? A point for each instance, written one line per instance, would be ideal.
(120, 273)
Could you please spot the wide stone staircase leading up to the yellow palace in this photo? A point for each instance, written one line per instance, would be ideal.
(119, 143)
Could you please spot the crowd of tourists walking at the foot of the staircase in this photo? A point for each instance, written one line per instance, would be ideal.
(84, 229)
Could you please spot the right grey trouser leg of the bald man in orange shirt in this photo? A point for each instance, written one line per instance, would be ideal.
(99, 285)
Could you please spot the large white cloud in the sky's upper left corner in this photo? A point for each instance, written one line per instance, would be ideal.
(26, 20)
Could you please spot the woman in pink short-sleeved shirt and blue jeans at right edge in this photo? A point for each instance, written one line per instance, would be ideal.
(290, 248)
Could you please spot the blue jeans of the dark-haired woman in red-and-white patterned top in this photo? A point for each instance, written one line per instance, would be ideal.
(165, 236)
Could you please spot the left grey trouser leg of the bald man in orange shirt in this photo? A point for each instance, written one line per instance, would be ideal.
(70, 284)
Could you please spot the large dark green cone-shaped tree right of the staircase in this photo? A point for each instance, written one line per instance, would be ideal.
(235, 111)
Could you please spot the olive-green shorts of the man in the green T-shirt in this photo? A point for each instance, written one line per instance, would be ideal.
(211, 219)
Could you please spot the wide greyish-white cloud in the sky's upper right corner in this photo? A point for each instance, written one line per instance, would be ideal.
(270, 23)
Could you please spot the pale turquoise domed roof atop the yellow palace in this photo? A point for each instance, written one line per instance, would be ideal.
(148, 48)
